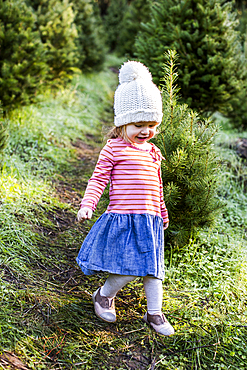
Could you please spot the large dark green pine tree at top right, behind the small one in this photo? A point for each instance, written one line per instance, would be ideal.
(203, 33)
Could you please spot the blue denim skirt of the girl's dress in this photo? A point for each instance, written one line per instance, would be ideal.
(125, 244)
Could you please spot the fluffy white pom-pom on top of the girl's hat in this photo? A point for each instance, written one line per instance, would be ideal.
(132, 70)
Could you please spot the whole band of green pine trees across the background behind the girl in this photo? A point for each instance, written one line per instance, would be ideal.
(67, 35)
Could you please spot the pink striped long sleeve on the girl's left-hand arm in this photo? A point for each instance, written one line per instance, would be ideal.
(99, 179)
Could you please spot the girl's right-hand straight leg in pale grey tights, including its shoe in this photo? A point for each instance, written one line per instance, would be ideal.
(154, 316)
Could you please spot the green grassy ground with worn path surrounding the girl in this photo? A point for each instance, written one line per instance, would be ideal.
(46, 313)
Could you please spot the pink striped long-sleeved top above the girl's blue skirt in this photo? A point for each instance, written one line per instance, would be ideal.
(135, 180)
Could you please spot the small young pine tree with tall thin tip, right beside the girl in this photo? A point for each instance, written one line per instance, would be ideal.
(189, 171)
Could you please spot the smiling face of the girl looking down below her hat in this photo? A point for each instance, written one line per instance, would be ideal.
(140, 132)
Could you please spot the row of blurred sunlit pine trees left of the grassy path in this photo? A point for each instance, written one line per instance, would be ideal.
(45, 43)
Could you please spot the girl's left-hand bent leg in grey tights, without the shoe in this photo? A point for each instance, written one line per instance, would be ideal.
(114, 283)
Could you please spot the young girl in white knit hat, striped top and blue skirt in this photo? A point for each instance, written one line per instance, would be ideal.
(127, 240)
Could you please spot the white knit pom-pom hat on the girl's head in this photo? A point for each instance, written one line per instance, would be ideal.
(137, 98)
